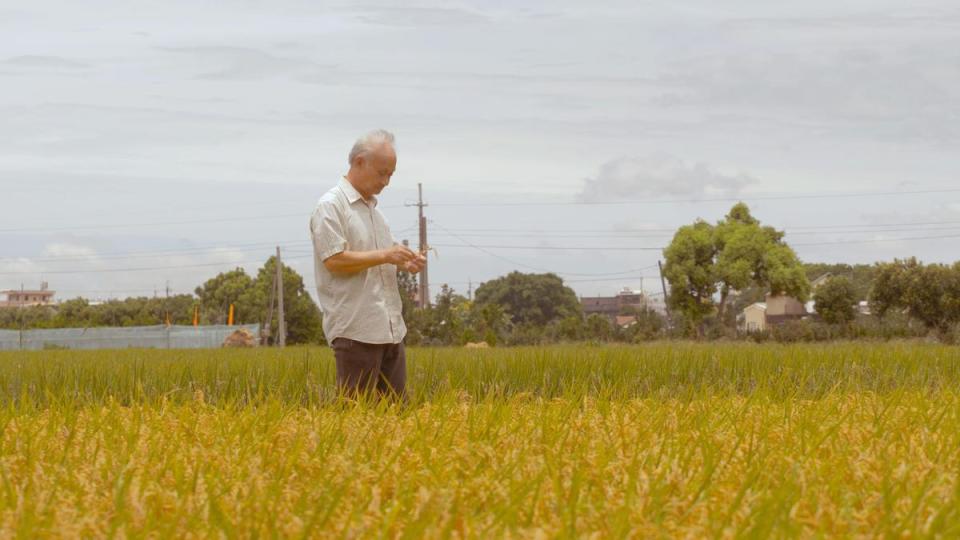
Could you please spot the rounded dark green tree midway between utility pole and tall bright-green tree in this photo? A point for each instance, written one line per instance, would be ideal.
(536, 299)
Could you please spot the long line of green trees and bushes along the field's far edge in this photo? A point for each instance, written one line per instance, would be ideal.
(714, 271)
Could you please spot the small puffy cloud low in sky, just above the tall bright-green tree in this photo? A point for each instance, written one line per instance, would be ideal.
(659, 175)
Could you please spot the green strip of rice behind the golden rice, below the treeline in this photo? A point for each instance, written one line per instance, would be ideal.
(305, 376)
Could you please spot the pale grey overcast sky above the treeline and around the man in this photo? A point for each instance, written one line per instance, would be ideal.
(143, 143)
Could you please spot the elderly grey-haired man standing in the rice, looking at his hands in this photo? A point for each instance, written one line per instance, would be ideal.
(356, 260)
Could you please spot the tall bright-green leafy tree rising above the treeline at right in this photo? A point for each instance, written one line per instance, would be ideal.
(737, 253)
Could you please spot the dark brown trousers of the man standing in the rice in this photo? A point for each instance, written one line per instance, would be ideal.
(367, 367)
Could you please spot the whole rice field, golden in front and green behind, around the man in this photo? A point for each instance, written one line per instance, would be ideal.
(660, 440)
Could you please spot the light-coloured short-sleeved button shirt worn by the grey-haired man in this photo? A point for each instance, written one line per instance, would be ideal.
(364, 306)
